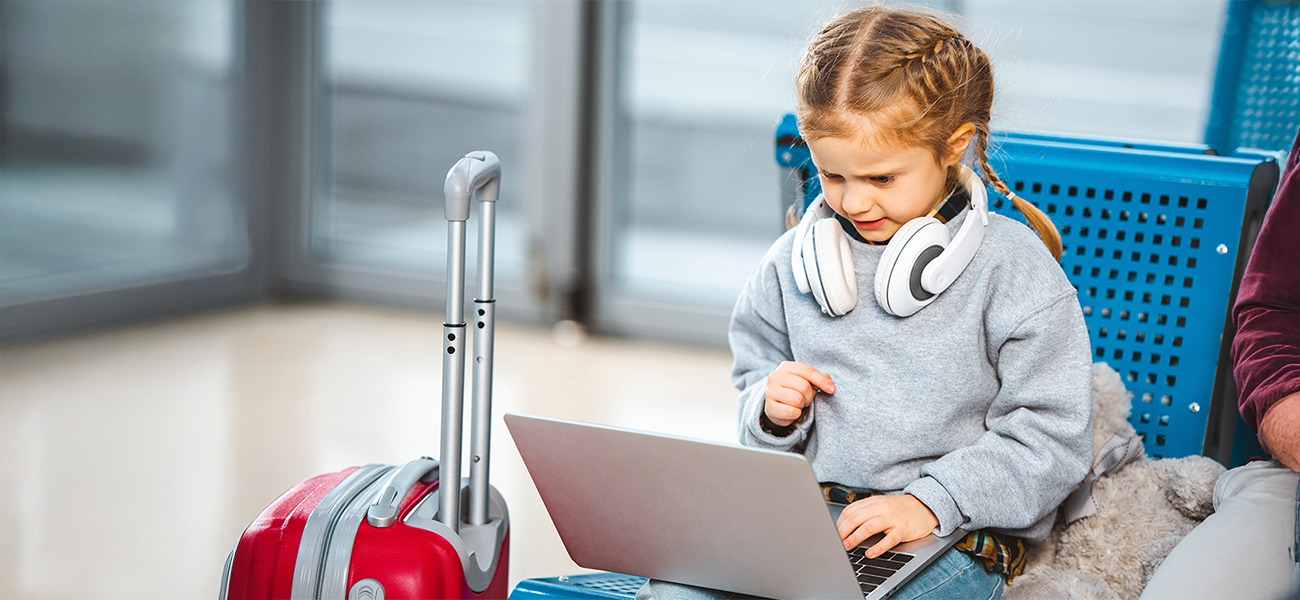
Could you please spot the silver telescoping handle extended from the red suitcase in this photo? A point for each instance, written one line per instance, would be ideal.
(476, 172)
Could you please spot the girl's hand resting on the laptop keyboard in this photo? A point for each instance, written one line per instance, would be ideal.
(900, 518)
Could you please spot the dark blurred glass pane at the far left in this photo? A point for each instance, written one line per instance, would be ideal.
(116, 138)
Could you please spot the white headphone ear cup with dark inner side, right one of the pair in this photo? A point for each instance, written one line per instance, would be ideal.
(898, 282)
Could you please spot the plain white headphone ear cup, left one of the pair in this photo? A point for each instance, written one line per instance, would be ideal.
(831, 275)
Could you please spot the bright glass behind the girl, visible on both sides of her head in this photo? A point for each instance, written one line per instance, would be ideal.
(703, 86)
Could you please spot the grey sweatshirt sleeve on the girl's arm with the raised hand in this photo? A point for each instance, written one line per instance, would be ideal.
(760, 344)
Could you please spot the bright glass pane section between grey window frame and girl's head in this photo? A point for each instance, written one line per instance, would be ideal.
(704, 86)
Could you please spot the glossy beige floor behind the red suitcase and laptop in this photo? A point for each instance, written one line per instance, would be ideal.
(132, 460)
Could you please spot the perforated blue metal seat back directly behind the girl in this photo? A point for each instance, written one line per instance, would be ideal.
(1156, 238)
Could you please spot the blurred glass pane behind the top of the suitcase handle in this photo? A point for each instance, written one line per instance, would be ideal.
(410, 88)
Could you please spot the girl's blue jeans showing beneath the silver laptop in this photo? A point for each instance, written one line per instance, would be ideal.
(955, 576)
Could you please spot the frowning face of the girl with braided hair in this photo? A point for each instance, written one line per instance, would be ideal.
(879, 188)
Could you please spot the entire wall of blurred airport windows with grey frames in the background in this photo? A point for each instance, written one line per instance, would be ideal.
(123, 158)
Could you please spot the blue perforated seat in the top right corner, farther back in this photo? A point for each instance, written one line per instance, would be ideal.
(1256, 99)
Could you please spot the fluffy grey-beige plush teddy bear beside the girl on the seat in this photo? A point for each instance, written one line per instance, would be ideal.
(1141, 508)
